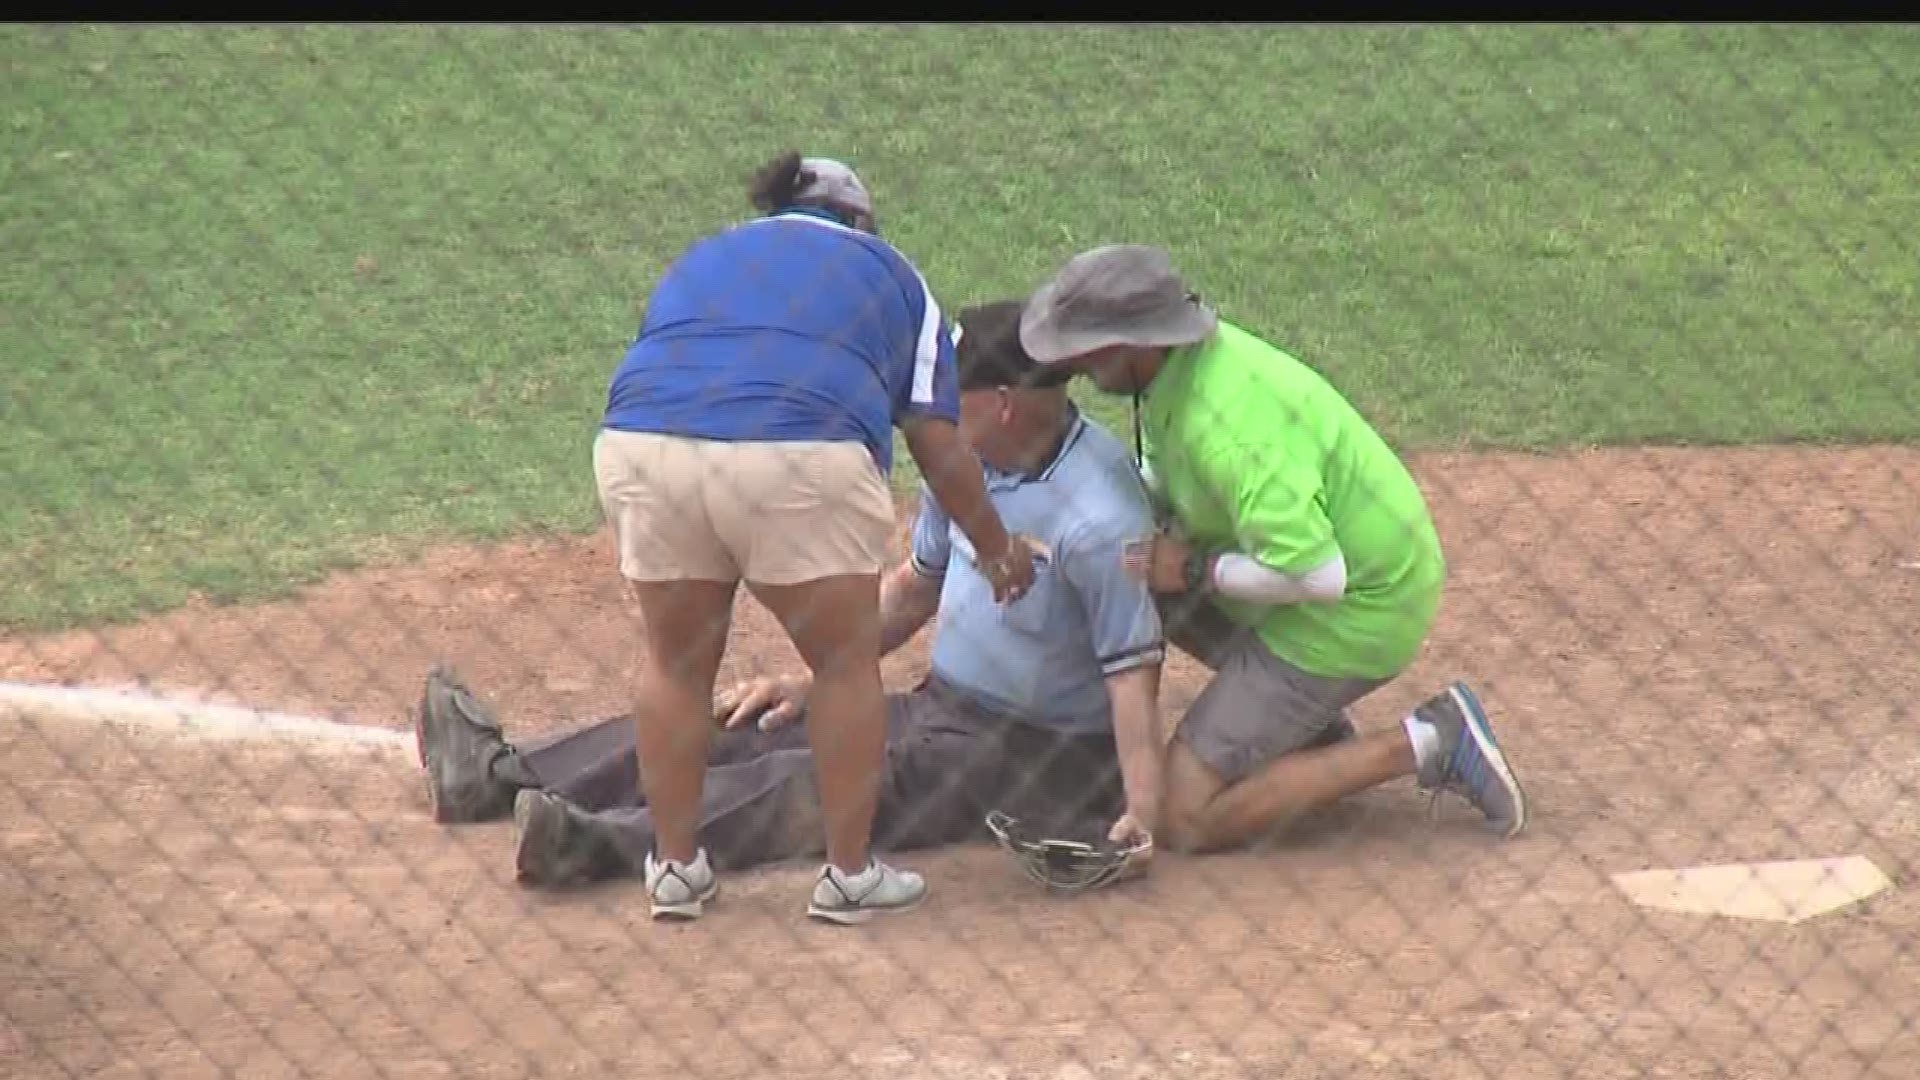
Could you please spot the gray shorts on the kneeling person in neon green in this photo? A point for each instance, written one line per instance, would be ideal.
(1257, 706)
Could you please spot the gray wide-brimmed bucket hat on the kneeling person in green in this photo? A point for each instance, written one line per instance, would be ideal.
(1120, 295)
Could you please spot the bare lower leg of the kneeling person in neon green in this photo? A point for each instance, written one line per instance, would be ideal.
(1209, 816)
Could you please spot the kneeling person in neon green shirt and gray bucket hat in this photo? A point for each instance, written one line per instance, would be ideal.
(1305, 570)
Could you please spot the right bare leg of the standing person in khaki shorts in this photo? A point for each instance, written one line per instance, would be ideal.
(836, 627)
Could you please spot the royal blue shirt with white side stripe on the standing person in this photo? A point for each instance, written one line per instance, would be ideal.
(788, 328)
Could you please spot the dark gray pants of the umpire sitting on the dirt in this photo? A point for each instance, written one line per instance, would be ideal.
(948, 764)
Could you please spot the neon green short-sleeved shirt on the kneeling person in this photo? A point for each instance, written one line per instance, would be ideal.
(1257, 453)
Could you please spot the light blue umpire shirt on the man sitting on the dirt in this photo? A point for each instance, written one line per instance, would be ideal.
(1045, 656)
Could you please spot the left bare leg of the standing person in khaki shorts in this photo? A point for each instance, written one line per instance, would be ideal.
(673, 702)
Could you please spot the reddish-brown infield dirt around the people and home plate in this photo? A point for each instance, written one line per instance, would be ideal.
(1692, 656)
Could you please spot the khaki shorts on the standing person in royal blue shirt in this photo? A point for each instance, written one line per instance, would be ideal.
(761, 512)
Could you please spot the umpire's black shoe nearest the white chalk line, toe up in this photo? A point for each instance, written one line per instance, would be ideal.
(458, 741)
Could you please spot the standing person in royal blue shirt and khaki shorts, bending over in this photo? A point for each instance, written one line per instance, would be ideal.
(748, 437)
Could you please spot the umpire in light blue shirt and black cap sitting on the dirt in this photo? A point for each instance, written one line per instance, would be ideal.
(1044, 708)
